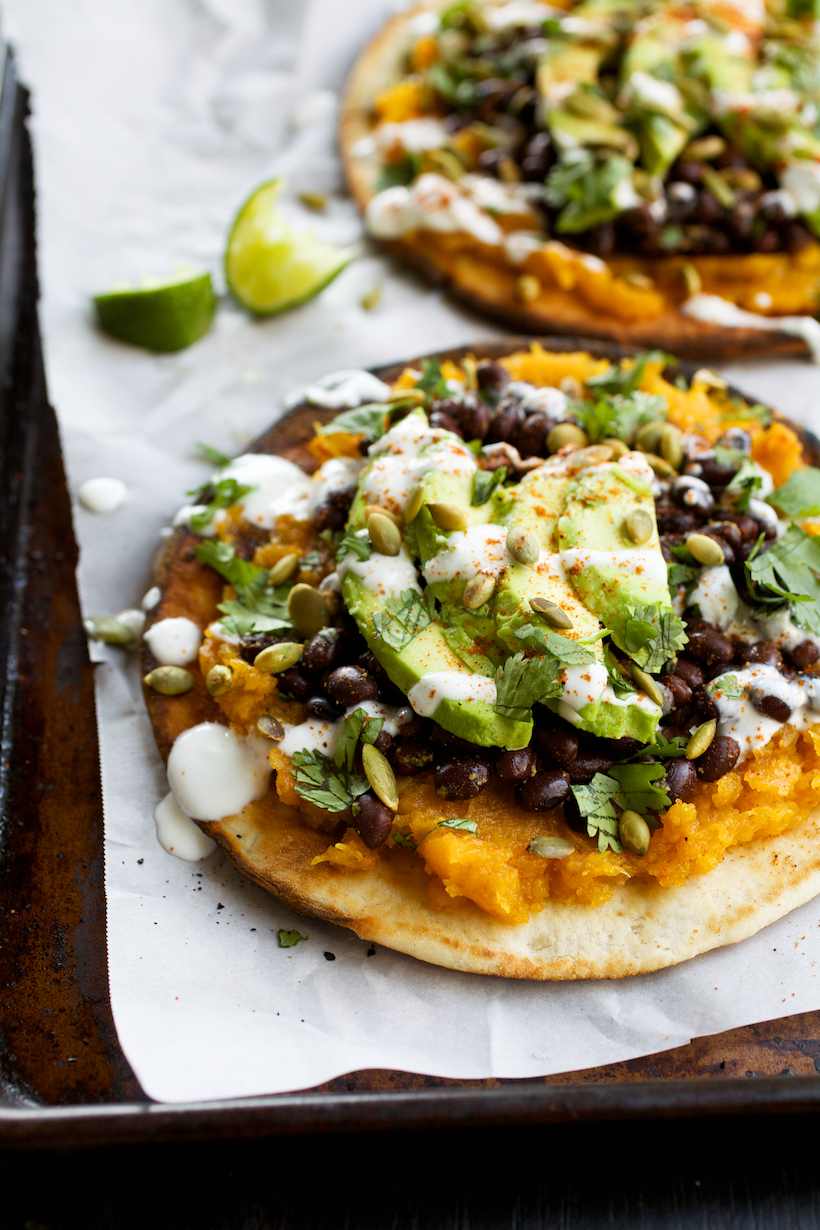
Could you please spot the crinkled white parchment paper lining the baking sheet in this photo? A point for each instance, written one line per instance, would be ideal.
(152, 122)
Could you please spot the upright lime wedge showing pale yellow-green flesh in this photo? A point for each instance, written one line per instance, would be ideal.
(271, 268)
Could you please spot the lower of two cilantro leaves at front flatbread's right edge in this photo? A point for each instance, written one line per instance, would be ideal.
(790, 571)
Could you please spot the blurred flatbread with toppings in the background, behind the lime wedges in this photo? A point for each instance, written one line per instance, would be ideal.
(642, 170)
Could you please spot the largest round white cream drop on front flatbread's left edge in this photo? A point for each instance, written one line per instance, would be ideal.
(215, 773)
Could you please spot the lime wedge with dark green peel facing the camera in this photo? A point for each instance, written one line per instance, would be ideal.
(159, 315)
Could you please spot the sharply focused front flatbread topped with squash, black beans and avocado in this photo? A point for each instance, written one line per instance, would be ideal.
(524, 678)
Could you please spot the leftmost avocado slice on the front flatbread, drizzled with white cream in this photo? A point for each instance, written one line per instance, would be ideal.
(367, 590)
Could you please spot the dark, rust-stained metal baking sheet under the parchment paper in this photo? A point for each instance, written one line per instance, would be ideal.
(65, 1081)
